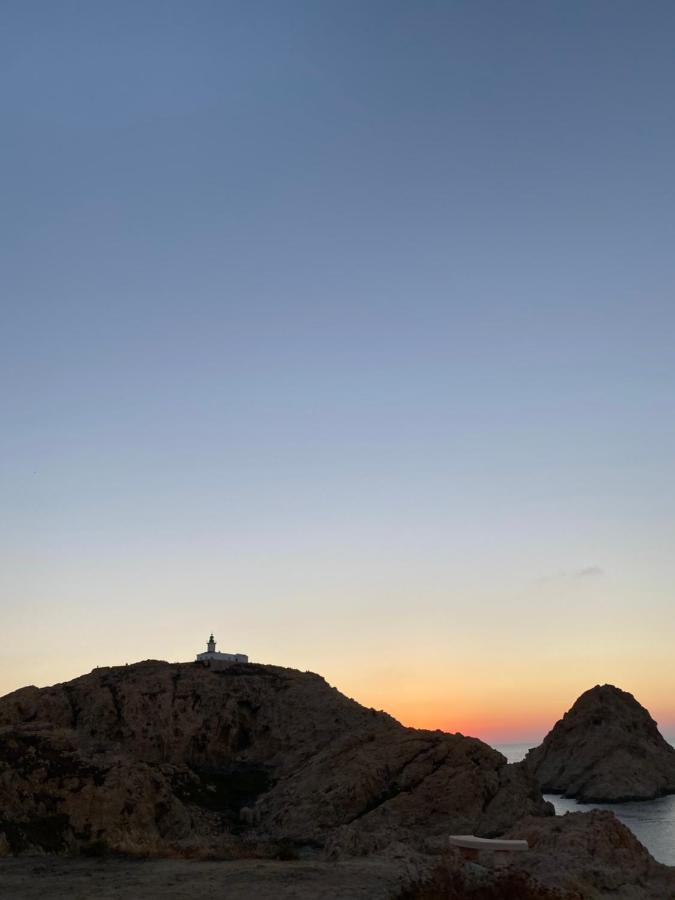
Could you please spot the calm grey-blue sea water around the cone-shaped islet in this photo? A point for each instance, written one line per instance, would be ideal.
(651, 821)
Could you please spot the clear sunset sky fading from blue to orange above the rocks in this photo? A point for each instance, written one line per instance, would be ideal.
(343, 330)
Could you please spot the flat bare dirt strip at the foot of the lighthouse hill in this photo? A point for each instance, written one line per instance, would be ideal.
(56, 878)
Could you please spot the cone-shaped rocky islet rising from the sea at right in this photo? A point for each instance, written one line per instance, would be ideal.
(607, 748)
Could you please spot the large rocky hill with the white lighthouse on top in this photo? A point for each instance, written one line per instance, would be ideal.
(235, 759)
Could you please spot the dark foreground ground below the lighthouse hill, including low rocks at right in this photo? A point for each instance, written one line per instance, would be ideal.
(581, 856)
